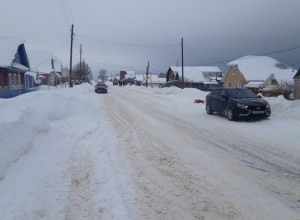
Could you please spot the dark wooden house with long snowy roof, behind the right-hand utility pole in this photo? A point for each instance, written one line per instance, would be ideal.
(201, 77)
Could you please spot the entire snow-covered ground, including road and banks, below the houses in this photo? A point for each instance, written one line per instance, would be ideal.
(144, 153)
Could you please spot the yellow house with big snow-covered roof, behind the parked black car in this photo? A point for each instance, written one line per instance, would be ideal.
(261, 74)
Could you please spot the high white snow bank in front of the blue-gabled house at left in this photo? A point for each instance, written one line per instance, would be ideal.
(24, 117)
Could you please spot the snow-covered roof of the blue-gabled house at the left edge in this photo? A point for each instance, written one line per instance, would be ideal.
(8, 49)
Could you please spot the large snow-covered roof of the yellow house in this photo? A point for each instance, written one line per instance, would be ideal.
(261, 67)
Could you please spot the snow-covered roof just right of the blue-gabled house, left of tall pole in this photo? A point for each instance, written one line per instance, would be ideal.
(41, 61)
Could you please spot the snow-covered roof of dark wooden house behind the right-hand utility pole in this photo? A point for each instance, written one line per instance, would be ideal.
(197, 73)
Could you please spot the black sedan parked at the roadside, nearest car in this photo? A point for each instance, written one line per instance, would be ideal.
(237, 103)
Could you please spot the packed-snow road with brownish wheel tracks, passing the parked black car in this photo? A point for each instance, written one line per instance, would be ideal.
(182, 167)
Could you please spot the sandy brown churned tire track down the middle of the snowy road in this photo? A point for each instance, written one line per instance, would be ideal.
(165, 187)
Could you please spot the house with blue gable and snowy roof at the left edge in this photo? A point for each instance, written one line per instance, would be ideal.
(13, 65)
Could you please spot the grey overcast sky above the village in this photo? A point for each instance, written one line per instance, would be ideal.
(126, 34)
